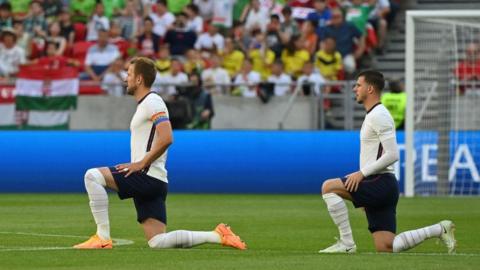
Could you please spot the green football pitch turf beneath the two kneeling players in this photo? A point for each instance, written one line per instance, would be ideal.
(282, 232)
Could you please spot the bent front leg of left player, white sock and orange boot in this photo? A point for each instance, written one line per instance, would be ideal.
(96, 180)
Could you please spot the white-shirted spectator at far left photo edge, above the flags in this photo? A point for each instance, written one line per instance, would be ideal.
(11, 55)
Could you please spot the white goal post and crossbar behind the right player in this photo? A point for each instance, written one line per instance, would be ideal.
(410, 87)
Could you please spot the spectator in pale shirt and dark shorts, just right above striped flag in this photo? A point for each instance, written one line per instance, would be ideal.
(99, 57)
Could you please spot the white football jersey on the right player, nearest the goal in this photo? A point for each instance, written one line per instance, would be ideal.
(378, 126)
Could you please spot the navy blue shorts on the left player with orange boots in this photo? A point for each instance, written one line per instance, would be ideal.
(148, 193)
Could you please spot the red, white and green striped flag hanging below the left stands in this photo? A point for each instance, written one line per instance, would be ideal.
(48, 95)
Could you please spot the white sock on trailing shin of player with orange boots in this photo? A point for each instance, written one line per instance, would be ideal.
(183, 239)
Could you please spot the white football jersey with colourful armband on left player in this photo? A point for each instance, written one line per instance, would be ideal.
(151, 110)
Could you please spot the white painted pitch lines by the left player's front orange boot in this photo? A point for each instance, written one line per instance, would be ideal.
(116, 241)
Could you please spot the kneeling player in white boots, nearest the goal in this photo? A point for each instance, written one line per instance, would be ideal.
(374, 186)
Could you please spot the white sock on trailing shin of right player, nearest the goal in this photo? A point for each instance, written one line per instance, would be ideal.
(410, 239)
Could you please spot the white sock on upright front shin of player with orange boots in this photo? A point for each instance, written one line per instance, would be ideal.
(95, 186)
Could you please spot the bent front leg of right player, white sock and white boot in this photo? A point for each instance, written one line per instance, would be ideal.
(333, 193)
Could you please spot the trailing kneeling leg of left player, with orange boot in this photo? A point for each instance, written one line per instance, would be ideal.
(152, 216)
